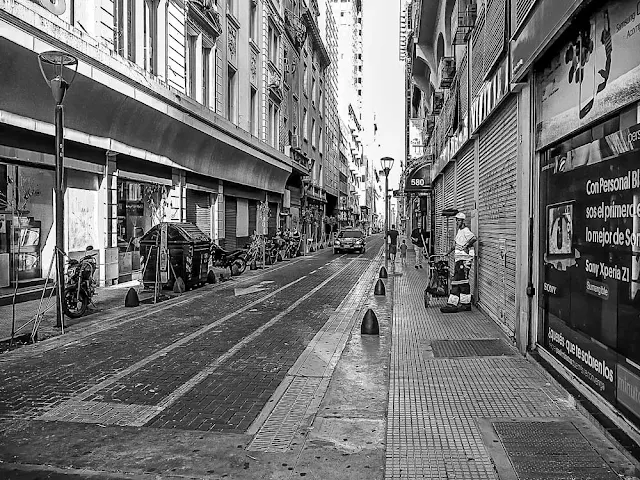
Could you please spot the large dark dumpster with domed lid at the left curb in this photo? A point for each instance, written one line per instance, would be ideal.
(188, 254)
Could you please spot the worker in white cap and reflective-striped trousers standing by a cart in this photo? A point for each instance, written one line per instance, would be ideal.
(460, 296)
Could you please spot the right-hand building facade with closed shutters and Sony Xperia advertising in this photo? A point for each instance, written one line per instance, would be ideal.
(535, 139)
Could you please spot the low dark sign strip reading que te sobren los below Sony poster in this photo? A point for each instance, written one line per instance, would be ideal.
(594, 364)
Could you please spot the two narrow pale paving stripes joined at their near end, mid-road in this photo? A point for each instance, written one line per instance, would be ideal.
(124, 415)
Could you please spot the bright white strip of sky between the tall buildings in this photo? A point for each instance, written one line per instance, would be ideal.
(383, 83)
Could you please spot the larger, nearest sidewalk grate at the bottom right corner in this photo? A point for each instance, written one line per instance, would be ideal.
(551, 451)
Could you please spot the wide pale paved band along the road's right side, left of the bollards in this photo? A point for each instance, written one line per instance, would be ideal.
(296, 404)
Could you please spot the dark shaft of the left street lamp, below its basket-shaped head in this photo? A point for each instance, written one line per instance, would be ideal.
(59, 215)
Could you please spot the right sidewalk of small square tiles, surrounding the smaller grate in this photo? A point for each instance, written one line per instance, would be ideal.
(432, 432)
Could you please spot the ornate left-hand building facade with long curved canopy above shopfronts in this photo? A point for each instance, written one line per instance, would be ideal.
(180, 111)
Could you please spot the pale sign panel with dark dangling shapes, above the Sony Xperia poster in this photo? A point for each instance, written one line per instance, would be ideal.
(594, 74)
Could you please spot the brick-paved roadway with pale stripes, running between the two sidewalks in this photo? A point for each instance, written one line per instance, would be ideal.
(223, 381)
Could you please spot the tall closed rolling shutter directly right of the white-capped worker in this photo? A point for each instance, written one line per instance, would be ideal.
(497, 215)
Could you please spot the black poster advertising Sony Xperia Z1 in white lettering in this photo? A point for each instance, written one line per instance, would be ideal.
(591, 252)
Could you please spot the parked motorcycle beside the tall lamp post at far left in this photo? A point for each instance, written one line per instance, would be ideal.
(80, 286)
